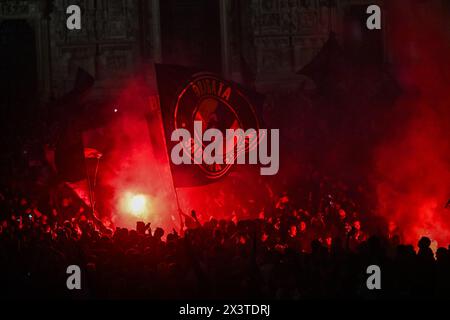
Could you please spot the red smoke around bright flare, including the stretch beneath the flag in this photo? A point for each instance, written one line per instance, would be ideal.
(135, 163)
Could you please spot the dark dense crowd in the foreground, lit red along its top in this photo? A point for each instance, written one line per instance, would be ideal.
(285, 254)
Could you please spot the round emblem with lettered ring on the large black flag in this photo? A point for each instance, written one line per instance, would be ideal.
(218, 104)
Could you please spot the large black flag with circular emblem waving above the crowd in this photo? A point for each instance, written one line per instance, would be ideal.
(188, 95)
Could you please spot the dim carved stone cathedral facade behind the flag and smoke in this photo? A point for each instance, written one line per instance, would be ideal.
(266, 41)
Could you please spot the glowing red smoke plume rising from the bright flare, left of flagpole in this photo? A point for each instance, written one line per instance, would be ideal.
(132, 166)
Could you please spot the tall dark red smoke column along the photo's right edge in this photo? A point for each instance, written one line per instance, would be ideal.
(413, 164)
